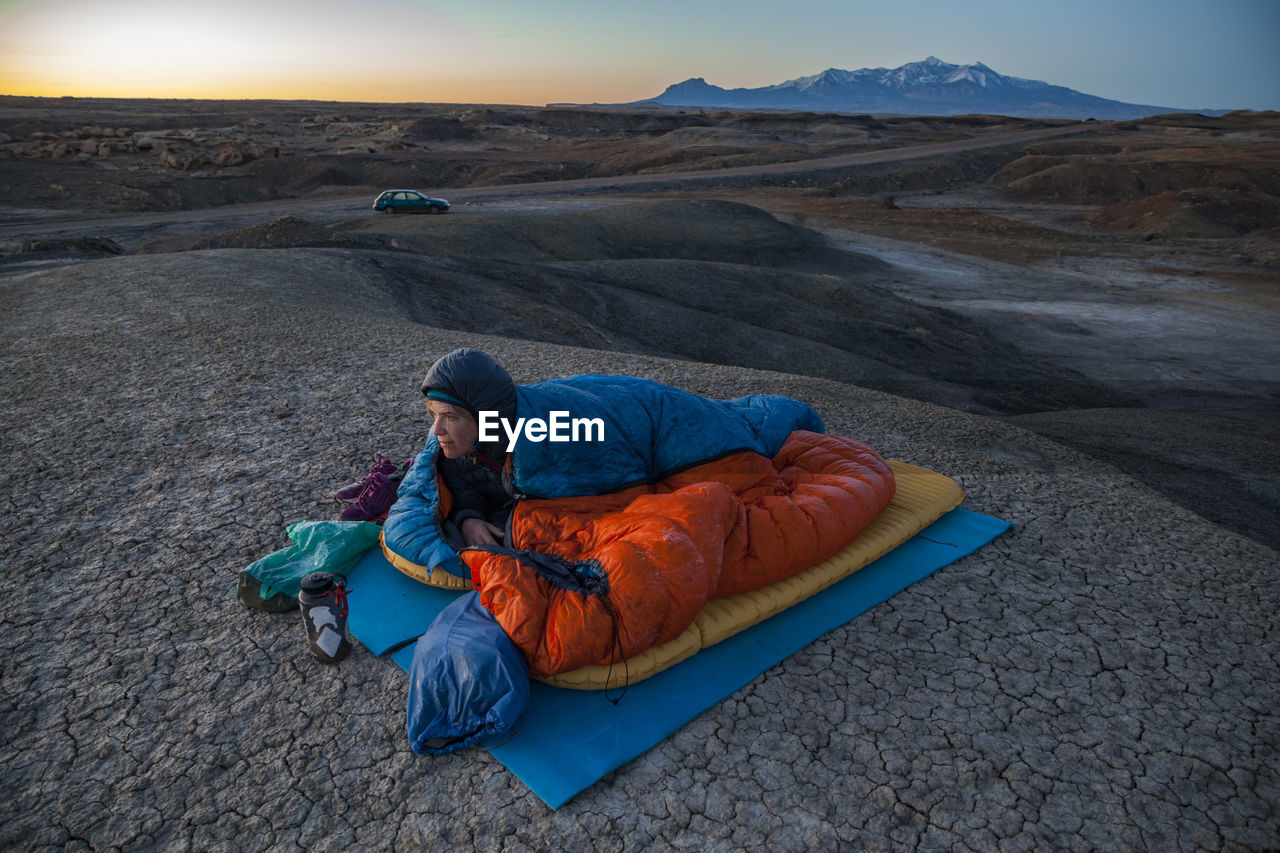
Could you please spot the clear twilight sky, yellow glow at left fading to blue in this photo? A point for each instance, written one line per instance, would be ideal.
(1186, 54)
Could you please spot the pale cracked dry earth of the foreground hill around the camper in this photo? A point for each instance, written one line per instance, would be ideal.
(1101, 678)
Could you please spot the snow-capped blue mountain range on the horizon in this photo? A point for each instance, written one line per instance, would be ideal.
(930, 88)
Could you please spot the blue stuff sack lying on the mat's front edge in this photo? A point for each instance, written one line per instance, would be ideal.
(468, 686)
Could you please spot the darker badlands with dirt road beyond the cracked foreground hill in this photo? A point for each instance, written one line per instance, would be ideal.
(1109, 285)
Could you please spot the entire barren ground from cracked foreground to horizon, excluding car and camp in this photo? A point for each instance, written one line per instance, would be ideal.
(207, 330)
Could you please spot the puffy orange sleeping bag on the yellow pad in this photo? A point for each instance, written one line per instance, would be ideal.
(636, 568)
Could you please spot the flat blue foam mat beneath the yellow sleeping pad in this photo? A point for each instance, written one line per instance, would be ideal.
(573, 738)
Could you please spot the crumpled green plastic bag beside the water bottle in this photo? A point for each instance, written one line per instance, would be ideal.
(318, 546)
